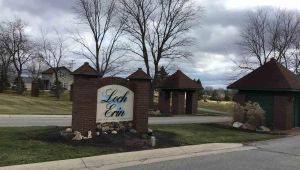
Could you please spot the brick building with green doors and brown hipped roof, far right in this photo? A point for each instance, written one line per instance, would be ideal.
(276, 89)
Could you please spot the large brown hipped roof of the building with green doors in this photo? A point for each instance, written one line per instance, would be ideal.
(270, 76)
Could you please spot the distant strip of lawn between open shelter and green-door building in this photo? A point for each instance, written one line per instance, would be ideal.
(219, 106)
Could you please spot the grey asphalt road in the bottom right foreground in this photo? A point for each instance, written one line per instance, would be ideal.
(283, 154)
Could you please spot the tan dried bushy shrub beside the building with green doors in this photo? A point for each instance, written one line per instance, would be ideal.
(251, 113)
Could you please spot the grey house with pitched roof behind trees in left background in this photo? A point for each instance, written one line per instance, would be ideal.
(65, 77)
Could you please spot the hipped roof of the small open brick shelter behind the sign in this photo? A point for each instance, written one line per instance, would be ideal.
(179, 81)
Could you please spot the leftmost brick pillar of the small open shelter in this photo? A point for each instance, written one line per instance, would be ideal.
(164, 102)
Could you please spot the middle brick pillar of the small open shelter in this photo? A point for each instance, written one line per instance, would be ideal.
(178, 101)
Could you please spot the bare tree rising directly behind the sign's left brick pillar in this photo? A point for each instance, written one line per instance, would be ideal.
(101, 18)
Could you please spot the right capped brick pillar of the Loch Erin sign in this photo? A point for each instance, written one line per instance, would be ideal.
(141, 100)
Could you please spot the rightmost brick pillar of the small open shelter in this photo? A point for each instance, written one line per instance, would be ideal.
(191, 102)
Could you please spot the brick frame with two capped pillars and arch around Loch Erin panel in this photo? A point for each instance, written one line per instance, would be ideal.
(84, 94)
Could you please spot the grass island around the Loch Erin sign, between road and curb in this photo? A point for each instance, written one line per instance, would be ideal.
(27, 145)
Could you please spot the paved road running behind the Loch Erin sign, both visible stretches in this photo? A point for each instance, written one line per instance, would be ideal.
(59, 120)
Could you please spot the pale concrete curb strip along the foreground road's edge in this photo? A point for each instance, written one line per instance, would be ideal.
(119, 160)
